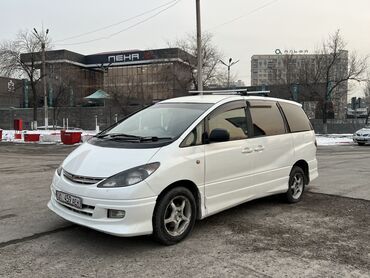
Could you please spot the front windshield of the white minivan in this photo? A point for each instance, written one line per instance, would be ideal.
(162, 120)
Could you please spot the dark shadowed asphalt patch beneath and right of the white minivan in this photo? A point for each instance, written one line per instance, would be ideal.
(319, 227)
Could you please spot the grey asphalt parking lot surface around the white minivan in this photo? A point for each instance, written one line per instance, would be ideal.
(322, 236)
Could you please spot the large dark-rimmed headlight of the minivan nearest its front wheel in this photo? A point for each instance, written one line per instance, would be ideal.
(131, 176)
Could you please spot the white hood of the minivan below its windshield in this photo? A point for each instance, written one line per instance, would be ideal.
(94, 161)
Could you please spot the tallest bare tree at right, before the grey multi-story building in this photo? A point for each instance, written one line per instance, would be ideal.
(325, 74)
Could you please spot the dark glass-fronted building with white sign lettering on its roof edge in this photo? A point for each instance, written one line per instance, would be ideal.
(139, 77)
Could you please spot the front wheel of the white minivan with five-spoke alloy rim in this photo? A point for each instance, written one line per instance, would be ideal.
(174, 216)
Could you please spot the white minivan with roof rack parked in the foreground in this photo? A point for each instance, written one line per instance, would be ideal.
(183, 159)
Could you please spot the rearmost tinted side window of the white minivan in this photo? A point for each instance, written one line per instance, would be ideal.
(296, 117)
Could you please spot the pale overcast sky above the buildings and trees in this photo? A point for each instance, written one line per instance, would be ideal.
(241, 28)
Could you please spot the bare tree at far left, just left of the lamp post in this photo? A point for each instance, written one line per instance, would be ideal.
(11, 64)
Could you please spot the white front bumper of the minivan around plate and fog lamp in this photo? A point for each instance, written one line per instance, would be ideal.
(137, 220)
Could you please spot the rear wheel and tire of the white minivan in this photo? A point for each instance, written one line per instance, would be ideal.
(296, 185)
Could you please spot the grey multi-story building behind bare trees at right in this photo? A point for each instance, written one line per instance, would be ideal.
(298, 77)
